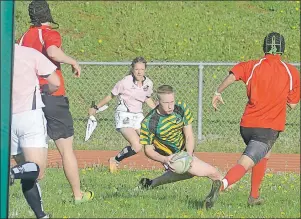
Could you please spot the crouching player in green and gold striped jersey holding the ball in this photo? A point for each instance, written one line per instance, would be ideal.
(166, 131)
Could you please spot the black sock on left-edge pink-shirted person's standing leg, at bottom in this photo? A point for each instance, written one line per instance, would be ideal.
(31, 191)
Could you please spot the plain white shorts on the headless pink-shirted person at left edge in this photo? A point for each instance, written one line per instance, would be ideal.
(28, 129)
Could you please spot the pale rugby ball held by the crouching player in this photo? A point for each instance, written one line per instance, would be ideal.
(181, 162)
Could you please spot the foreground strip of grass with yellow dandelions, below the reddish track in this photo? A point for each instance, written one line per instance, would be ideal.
(116, 196)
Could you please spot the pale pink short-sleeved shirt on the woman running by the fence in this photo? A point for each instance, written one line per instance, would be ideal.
(130, 95)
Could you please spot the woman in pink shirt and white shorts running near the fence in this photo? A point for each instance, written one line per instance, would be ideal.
(132, 91)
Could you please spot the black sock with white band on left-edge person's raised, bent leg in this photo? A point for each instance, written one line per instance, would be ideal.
(26, 171)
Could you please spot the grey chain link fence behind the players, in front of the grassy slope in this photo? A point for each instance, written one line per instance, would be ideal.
(194, 83)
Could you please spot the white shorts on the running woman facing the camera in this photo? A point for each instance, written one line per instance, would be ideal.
(128, 120)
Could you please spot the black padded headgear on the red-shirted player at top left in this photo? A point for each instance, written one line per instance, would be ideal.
(39, 12)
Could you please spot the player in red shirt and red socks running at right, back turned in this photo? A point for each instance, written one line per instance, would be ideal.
(272, 85)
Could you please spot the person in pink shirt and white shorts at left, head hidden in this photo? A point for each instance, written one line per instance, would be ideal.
(28, 126)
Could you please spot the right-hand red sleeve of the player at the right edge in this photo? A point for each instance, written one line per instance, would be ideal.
(294, 94)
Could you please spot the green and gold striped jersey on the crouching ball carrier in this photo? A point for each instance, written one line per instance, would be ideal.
(165, 132)
